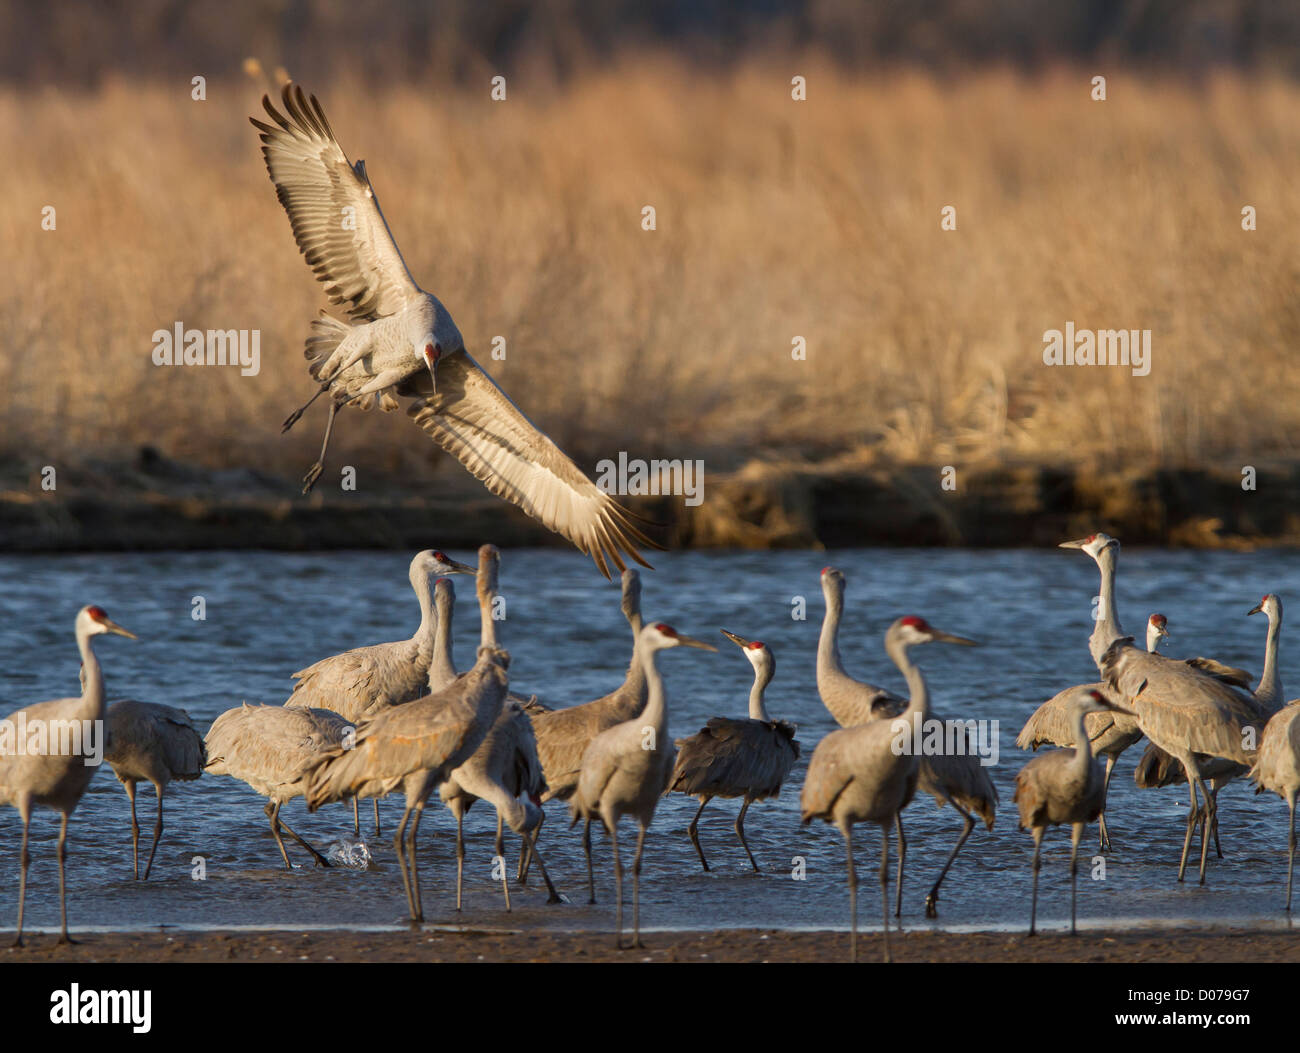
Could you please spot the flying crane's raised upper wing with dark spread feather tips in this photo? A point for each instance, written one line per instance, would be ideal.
(333, 210)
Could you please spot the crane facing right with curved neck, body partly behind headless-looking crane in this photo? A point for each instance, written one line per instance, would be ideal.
(365, 681)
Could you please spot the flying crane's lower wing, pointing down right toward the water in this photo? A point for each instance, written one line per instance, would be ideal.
(473, 419)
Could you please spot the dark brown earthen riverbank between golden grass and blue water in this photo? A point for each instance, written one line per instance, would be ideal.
(840, 501)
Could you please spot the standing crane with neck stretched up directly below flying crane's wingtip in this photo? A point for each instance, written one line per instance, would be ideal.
(565, 734)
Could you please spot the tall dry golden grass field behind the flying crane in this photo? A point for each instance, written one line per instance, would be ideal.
(775, 219)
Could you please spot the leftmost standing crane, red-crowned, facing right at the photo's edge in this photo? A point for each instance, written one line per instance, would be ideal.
(57, 777)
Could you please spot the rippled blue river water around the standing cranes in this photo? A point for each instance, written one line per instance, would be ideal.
(268, 614)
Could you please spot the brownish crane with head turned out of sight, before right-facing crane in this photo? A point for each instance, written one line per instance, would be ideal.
(415, 747)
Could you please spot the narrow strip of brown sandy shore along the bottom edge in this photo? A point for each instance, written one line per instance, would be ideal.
(736, 946)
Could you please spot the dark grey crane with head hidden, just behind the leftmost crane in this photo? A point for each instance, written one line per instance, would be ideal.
(151, 743)
